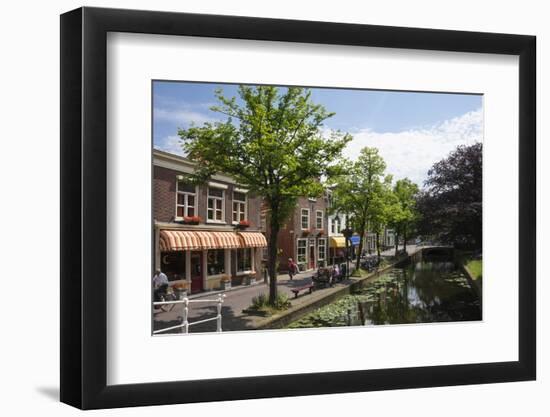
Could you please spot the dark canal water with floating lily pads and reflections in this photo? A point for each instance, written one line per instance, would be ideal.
(416, 292)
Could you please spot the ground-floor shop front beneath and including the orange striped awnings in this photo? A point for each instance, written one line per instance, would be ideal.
(202, 260)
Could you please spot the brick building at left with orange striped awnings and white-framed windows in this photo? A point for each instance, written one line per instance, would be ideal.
(204, 234)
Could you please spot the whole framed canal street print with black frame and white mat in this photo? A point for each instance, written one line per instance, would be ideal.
(258, 208)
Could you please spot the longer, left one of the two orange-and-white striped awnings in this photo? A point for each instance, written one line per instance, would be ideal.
(178, 240)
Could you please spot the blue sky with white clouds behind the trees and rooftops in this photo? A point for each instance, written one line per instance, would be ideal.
(412, 130)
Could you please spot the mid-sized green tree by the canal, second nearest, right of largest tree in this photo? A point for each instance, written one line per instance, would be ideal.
(356, 189)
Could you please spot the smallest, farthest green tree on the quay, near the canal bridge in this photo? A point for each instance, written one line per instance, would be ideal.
(406, 193)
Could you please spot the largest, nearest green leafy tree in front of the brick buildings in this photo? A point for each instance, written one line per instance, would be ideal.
(271, 143)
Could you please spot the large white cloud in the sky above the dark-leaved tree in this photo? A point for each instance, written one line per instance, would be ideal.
(411, 153)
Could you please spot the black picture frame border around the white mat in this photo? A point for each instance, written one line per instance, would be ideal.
(84, 207)
